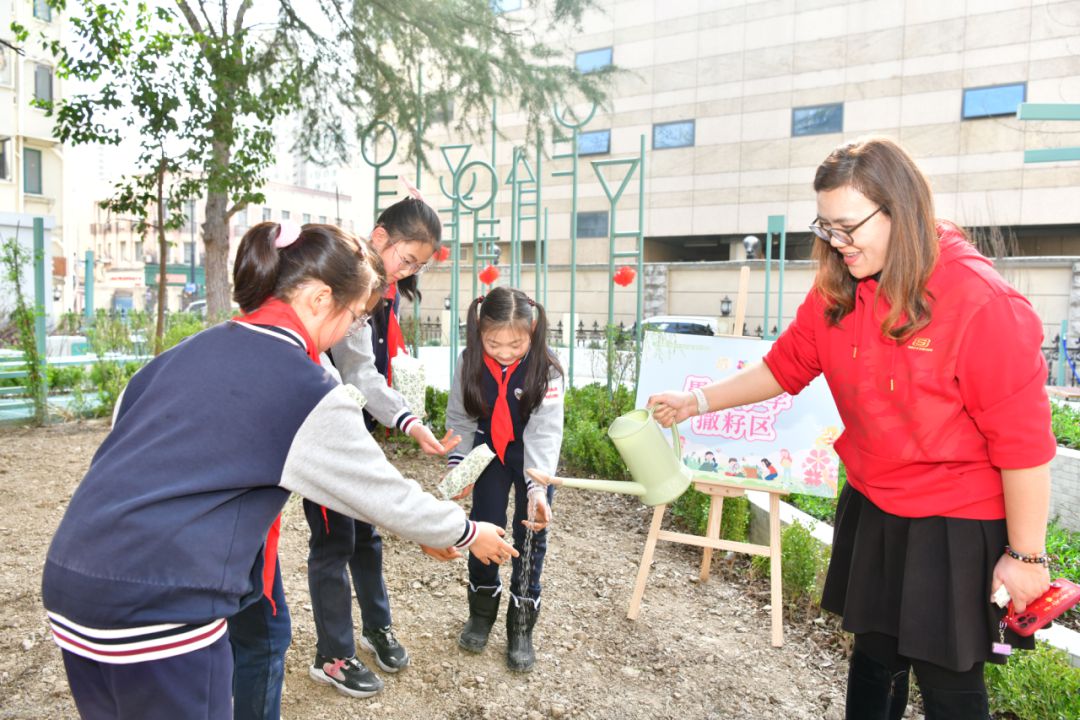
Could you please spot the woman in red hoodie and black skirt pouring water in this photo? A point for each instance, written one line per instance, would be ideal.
(936, 366)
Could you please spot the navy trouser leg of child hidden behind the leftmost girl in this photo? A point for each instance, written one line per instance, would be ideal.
(260, 640)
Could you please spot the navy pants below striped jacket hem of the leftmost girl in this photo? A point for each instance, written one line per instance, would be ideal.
(196, 685)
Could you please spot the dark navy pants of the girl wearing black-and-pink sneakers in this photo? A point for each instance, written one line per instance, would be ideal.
(341, 546)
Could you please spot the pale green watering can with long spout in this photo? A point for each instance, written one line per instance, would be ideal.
(657, 469)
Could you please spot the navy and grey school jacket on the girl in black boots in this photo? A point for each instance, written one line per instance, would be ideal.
(541, 440)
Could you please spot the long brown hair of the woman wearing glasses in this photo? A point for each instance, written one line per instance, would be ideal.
(885, 174)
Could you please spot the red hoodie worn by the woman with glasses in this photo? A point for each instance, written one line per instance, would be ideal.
(930, 422)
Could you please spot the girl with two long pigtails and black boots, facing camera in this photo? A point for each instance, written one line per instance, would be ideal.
(508, 393)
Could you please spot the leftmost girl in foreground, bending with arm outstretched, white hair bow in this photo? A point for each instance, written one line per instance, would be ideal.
(165, 538)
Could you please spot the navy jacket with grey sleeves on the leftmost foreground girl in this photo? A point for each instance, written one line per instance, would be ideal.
(164, 538)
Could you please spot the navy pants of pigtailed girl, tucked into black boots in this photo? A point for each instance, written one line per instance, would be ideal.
(491, 496)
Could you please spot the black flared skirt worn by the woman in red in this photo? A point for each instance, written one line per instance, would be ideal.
(924, 581)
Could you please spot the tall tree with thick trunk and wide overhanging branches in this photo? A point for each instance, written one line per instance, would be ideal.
(340, 65)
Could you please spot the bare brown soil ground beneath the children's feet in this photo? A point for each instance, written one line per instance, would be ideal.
(698, 650)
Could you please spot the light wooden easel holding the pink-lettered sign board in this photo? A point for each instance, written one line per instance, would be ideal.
(718, 492)
